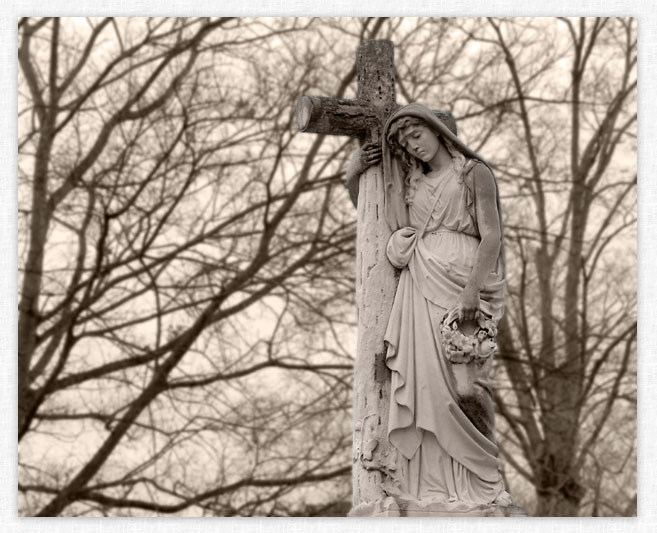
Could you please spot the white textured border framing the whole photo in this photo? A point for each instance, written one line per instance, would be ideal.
(647, 259)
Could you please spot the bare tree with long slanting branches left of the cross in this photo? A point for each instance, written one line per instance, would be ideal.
(182, 293)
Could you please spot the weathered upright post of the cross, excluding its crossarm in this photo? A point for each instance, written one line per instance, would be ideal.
(376, 282)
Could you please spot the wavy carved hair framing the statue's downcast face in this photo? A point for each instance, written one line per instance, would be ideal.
(409, 162)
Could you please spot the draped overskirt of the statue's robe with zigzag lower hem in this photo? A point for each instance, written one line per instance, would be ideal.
(422, 387)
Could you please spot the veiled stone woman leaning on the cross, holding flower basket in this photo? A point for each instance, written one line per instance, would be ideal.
(443, 207)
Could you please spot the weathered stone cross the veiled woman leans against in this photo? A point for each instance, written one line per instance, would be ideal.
(376, 280)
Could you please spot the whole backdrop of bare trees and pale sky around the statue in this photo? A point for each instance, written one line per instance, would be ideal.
(186, 319)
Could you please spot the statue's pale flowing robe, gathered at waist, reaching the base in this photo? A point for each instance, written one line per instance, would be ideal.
(441, 413)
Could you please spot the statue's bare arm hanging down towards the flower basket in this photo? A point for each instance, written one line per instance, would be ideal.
(488, 252)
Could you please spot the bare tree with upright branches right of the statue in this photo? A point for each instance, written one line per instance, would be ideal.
(569, 341)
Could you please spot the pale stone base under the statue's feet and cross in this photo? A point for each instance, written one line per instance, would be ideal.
(394, 506)
